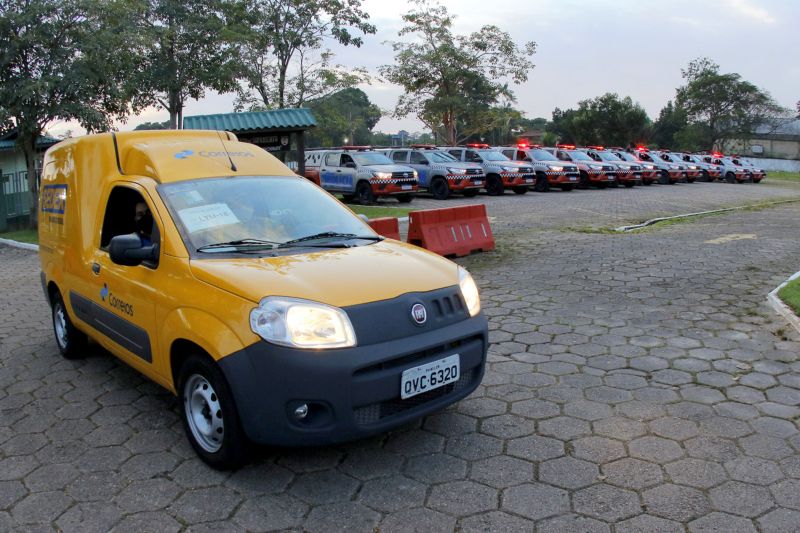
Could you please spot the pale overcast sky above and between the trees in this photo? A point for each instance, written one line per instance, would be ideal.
(586, 48)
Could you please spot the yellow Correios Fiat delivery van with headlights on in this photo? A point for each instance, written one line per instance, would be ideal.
(273, 312)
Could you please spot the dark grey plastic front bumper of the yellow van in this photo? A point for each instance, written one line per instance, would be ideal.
(349, 393)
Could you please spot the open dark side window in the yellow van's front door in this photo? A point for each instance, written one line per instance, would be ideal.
(128, 212)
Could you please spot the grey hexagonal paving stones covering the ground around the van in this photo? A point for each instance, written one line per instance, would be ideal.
(636, 382)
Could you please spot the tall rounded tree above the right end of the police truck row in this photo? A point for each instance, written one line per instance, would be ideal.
(728, 106)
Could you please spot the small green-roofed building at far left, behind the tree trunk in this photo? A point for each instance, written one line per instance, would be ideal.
(15, 198)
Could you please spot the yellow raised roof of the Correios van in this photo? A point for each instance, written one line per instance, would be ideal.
(177, 155)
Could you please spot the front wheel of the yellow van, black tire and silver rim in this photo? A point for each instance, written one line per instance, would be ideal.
(215, 431)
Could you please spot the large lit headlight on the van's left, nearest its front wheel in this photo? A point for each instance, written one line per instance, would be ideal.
(301, 324)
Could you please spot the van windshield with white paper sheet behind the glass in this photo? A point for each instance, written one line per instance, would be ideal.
(257, 209)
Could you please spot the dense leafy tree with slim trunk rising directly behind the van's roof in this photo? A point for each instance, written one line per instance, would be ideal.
(187, 47)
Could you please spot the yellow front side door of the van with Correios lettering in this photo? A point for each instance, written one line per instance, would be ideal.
(122, 299)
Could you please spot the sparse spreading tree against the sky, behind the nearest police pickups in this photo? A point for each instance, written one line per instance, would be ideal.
(451, 82)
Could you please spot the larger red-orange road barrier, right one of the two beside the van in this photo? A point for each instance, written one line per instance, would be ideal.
(451, 231)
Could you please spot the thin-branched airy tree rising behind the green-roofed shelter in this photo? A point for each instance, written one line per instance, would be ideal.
(283, 62)
